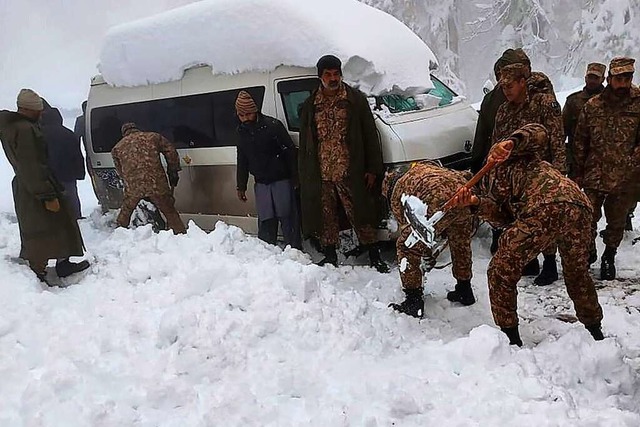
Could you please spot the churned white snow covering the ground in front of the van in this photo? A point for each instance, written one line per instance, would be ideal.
(220, 329)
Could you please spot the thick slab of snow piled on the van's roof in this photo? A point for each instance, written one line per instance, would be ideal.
(379, 53)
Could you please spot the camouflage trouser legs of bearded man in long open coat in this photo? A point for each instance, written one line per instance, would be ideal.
(334, 193)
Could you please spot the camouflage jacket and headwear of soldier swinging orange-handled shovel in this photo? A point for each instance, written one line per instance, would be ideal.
(523, 183)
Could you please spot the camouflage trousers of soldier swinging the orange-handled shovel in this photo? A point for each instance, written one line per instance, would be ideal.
(568, 225)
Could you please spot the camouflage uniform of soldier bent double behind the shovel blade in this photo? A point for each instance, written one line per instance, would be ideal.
(434, 185)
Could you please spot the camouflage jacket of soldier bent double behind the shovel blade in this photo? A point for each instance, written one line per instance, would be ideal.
(432, 184)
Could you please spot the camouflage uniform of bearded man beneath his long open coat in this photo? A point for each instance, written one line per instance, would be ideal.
(331, 118)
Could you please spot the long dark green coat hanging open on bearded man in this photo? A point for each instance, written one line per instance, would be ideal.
(365, 157)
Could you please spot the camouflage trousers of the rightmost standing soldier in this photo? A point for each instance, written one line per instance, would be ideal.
(616, 208)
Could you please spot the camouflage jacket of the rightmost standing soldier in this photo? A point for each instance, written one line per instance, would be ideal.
(606, 141)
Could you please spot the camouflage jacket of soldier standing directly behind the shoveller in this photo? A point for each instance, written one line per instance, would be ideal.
(539, 108)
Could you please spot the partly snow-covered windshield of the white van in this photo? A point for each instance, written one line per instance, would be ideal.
(439, 96)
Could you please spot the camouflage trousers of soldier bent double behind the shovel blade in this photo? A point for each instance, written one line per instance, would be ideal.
(409, 259)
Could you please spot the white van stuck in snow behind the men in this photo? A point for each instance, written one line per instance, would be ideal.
(197, 114)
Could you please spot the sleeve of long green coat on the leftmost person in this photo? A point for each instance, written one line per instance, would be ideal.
(32, 168)
